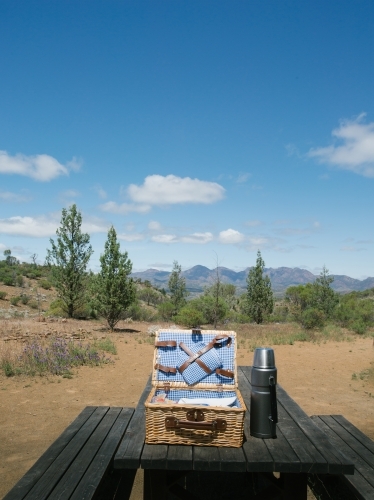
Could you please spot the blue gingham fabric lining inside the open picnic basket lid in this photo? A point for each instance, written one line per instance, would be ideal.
(169, 356)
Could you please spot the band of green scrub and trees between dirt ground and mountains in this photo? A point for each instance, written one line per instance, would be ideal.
(63, 287)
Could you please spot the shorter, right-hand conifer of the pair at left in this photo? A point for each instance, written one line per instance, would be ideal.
(114, 290)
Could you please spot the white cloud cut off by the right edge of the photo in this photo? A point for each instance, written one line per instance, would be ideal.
(353, 148)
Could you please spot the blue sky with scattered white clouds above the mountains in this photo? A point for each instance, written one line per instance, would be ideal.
(202, 130)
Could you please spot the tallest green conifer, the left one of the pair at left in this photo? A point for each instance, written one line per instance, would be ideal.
(68, 260)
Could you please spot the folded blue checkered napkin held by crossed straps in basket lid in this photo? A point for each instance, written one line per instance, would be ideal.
(194, 373)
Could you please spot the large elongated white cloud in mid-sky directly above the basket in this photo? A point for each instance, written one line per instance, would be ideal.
(169, 190)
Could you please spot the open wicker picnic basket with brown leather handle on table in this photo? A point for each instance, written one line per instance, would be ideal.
(198, 425)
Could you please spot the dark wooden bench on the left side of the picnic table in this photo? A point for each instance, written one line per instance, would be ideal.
(79, 462)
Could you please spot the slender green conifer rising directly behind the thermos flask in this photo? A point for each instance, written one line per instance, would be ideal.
(260, 300)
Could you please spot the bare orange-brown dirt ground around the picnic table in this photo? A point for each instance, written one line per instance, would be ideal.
(34, 411)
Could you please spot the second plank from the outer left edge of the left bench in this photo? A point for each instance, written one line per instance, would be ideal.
(54, 473)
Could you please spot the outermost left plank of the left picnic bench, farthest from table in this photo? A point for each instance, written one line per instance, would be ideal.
(31, 477)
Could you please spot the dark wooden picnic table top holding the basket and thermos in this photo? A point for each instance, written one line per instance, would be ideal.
(300, 448)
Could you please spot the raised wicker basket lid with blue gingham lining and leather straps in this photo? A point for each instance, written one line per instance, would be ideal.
(167, 356)
